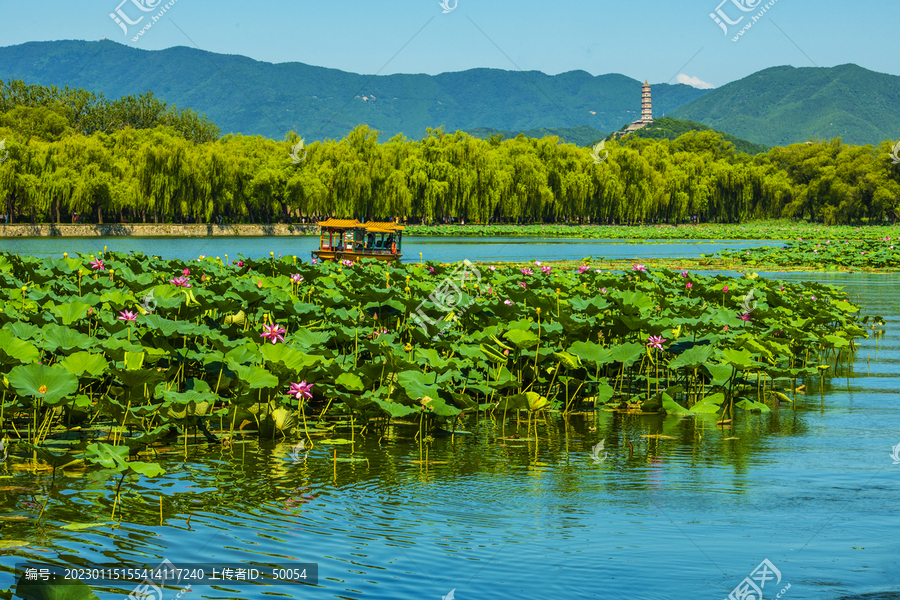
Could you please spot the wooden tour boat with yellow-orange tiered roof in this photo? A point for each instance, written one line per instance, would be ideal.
(348, 239)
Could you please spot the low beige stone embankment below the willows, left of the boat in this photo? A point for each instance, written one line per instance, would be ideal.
(153, 230)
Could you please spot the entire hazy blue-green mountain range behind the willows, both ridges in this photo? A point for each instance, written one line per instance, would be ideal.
(777, 106)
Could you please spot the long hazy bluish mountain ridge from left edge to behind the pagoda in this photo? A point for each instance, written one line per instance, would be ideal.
(326, 103)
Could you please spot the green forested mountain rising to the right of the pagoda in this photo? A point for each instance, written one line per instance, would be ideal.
(785, 105)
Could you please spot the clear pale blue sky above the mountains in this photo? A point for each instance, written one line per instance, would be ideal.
(652, 39)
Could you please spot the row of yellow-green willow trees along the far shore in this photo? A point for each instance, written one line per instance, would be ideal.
(140, 164)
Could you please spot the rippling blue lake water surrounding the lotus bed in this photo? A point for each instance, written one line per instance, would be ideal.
(812, 489)
